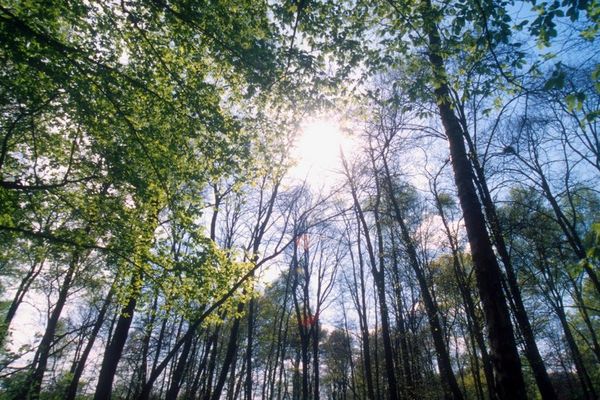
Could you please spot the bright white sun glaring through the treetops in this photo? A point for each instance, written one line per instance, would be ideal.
(318, 151)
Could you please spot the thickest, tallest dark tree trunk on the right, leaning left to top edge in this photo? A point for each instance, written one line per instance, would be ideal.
(504, 354)
